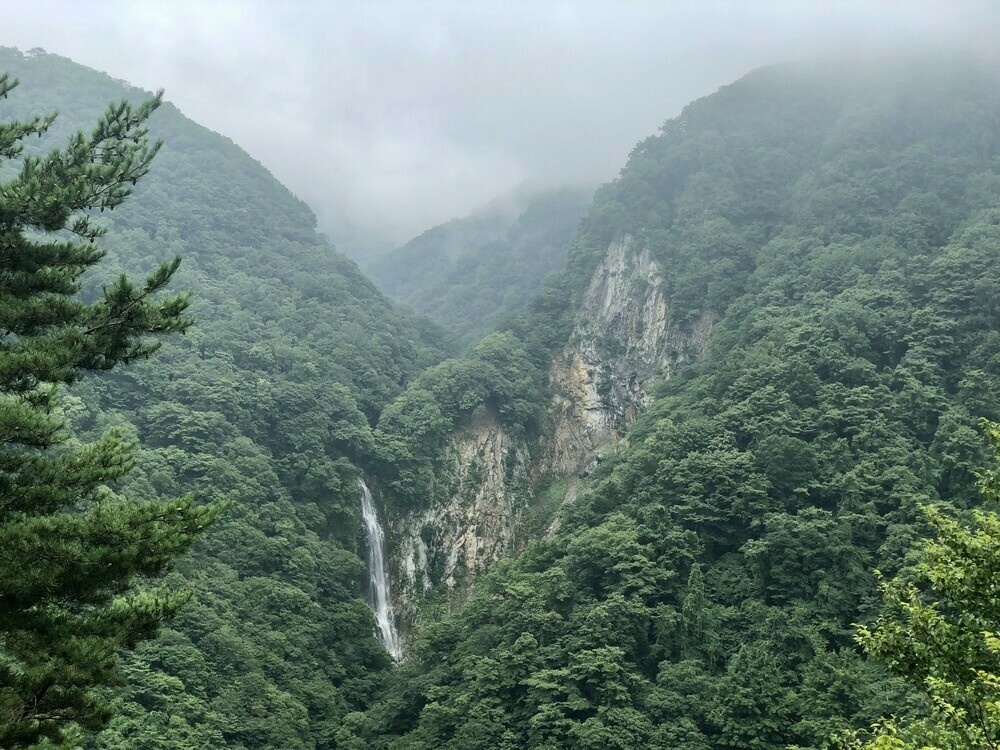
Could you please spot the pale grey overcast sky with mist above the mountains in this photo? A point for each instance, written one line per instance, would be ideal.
(396, 116)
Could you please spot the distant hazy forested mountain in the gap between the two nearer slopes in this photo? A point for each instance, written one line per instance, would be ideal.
(471, 273)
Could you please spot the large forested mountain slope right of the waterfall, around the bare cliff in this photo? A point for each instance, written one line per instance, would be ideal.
(818, 248)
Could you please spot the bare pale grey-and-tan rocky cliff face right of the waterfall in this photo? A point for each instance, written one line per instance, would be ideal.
(622, 342)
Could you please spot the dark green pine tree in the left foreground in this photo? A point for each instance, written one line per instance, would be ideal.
(71, 550)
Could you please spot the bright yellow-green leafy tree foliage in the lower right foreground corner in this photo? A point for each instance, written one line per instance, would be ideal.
(939, 631)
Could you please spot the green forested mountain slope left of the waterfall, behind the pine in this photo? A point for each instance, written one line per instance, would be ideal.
(266, 405)
